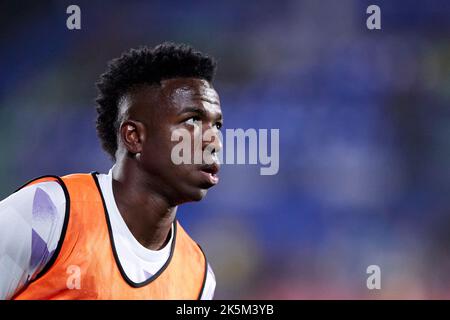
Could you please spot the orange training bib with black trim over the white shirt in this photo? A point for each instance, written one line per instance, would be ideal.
(85, 264)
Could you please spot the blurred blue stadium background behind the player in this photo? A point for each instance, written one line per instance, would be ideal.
(364, 123)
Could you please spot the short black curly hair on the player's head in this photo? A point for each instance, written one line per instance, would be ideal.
(143, 66)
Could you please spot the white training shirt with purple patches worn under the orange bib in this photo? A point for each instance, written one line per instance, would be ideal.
(31, 222)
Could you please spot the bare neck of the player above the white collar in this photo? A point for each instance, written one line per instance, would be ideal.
(148, 215)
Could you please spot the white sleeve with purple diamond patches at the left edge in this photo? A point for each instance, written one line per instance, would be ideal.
(31, 222)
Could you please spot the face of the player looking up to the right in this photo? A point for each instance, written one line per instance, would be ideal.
(181, 103)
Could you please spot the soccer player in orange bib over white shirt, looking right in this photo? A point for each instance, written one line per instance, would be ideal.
(115, 235)
